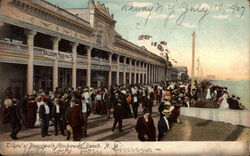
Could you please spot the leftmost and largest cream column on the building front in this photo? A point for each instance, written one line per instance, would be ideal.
(30, 68)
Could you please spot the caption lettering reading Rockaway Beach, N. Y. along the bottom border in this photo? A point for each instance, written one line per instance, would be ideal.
(80, 148)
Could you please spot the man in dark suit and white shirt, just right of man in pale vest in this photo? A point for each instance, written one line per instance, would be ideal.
(57, 116)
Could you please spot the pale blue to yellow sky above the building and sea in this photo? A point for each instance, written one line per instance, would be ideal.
(221, 27)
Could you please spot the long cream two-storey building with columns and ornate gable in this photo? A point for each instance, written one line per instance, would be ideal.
(43, 46)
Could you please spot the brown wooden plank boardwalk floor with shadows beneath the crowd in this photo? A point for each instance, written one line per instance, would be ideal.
(99, 129)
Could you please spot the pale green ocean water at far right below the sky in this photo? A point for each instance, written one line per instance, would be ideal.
(239, 88)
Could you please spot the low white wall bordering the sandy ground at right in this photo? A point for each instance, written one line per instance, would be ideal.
(235, 117)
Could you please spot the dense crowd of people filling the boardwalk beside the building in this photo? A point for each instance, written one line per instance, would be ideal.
(68, 110)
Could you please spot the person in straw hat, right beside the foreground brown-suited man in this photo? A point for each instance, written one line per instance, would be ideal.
(164, 124)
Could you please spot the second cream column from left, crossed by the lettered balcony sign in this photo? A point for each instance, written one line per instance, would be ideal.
(55, 41)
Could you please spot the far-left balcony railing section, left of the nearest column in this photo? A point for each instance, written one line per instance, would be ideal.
(14, 47)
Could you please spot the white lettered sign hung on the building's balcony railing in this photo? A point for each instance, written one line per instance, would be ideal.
(61, 56)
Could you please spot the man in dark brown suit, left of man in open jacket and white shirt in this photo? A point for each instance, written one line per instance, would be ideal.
(76, 120)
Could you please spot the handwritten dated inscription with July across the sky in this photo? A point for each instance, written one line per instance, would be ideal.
(181, 11)
